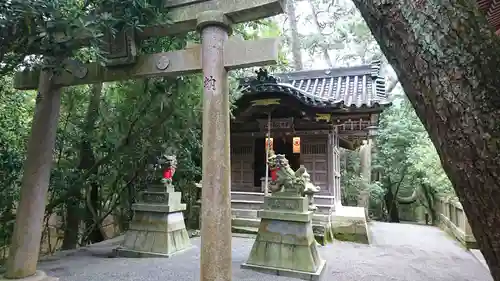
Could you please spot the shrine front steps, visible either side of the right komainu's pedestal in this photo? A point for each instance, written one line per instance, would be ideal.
(244, 207)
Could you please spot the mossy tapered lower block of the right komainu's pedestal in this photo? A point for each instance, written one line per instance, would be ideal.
(286, 246)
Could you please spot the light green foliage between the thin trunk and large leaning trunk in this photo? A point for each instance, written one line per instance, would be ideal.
(406, 162)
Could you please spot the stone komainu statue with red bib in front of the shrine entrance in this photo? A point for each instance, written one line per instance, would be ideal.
(284, 179)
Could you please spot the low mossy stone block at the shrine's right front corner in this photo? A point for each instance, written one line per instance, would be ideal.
(349, 224)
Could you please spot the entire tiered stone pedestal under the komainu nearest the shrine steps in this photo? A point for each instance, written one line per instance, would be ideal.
(285, 243)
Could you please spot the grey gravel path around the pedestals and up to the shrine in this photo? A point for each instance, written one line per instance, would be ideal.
(400, 252)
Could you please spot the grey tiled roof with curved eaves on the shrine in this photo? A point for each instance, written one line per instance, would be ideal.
(349, 87)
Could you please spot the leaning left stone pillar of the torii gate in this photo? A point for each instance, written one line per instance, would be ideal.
(25, 244)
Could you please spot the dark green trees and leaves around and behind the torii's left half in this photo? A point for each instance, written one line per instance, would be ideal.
(106, 135)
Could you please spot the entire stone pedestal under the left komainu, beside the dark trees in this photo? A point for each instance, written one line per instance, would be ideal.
(157, 228)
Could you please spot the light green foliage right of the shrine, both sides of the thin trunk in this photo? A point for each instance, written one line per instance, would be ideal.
(405, 164)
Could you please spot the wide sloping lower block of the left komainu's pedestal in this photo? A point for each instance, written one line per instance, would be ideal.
(161, 238)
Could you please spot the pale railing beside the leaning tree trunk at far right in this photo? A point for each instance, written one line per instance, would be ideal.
(452, 219)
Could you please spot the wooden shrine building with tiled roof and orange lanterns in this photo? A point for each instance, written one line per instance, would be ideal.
(309, 115)
